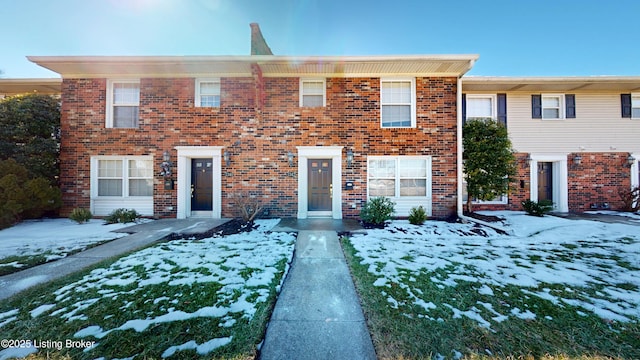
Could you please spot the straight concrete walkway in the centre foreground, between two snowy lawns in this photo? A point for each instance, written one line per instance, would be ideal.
(318, 314)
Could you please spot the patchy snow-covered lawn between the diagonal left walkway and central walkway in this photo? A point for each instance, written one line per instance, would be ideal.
(208, 298)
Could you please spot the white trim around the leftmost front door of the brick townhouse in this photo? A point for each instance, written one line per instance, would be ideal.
(183, 186)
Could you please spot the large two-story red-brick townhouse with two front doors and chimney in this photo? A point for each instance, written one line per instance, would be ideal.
(309, 136)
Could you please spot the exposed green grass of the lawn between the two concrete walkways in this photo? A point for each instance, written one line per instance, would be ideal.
(133, 303)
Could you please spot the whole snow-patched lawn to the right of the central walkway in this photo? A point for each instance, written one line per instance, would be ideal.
(554, 288)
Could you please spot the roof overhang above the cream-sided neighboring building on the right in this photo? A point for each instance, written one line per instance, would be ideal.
(550, 84)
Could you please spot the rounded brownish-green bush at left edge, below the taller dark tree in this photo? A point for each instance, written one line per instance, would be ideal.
(22, 197)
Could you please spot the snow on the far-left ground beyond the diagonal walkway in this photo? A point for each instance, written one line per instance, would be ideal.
(54, 237)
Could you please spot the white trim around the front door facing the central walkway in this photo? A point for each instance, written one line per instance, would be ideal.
(319, 152)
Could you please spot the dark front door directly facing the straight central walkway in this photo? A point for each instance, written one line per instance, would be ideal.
(320, 186)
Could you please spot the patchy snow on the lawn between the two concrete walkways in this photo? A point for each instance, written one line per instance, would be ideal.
(238, 270)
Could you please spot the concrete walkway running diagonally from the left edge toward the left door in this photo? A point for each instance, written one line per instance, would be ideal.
(142, 236)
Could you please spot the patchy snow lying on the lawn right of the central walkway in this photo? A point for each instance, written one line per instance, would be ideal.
(541, 256)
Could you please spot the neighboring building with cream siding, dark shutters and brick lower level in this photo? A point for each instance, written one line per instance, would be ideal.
(580, 136)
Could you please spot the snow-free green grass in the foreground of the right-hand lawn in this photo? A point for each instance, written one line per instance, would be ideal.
(557, 332)
